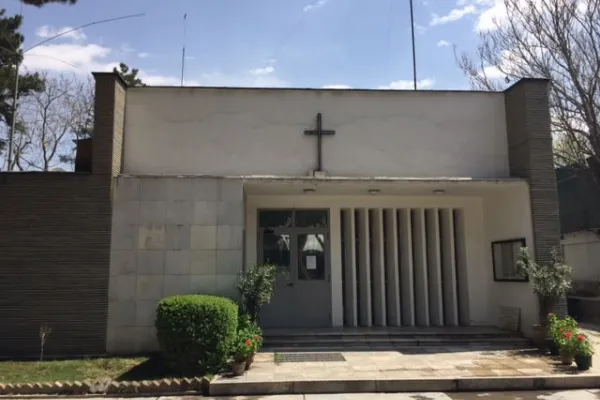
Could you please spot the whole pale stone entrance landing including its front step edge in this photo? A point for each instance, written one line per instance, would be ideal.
(418, 370)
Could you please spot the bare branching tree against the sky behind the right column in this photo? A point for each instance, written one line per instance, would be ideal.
(558, 40)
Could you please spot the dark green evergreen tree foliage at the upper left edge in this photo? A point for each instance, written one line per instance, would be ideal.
(10, 56)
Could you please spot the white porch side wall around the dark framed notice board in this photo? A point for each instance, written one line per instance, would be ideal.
(507, 215)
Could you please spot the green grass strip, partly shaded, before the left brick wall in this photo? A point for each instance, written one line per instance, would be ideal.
(118, 369)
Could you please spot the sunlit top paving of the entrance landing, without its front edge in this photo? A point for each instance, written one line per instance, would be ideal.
(432, 362)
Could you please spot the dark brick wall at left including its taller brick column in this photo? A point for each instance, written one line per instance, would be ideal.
(55, 245)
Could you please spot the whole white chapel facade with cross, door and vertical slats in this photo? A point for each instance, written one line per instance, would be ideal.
(380, 208)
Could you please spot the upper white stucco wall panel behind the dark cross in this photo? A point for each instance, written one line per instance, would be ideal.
(229, 132)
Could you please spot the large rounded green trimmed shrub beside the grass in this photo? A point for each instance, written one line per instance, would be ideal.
(196, 332)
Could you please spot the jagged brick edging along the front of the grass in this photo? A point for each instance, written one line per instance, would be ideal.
(99, 388)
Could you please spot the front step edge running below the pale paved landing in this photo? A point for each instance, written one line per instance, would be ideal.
(223, 387)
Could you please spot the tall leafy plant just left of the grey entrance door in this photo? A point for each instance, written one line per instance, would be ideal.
(257, 285)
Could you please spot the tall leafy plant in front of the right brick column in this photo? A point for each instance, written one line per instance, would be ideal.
(550, 282)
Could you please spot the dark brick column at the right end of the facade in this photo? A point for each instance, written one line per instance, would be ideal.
(530, 157)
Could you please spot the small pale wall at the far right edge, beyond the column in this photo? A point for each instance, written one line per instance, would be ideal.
(582, 252)
